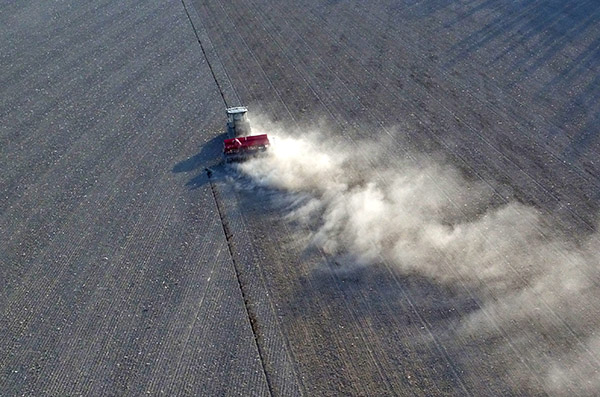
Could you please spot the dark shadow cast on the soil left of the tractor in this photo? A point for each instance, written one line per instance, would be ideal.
(209, 156)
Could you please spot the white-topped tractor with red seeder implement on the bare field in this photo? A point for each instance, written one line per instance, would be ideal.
(241, 144)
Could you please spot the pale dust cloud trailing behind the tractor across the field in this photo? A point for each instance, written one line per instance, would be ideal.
(421, 216)
